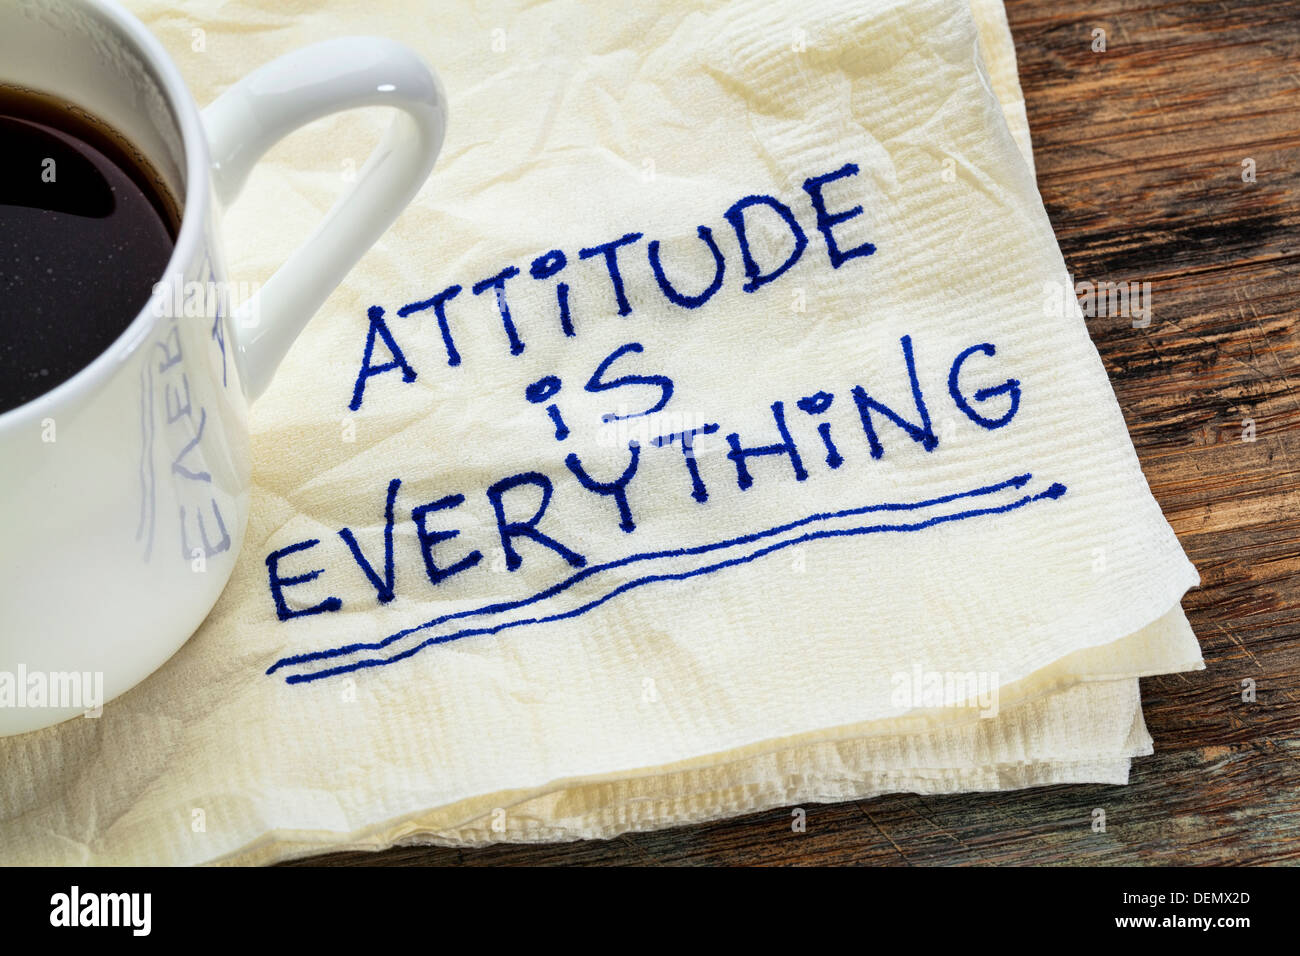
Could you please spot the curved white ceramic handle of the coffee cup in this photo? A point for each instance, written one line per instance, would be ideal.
(279, 98)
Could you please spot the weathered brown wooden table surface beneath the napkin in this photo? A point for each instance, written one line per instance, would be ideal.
(1141, 153)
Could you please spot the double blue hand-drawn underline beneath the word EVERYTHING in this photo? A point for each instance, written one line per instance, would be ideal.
(1055, 491)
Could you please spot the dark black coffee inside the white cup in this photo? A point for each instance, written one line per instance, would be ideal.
(86, 231)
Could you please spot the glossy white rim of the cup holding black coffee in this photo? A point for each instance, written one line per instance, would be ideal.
(194, 215)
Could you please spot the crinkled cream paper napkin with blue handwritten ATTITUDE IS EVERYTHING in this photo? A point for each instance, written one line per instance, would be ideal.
(747, 466)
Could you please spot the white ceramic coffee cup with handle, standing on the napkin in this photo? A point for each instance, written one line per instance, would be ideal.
(124, 491)
